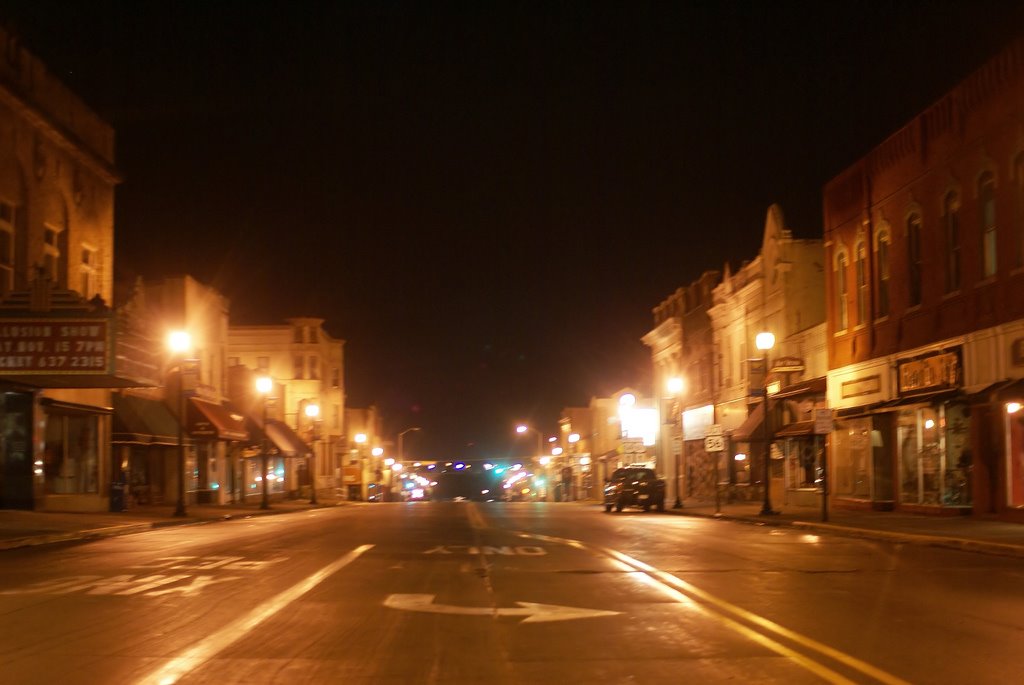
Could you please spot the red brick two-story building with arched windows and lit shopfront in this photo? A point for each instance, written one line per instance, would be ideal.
(925, 244)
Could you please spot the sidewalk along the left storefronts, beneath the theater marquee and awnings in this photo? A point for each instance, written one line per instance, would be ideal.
(27, 529)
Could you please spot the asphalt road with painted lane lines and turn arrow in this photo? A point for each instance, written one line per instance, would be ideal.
(504, 593)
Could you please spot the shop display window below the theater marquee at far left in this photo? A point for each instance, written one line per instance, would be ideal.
(71, 454)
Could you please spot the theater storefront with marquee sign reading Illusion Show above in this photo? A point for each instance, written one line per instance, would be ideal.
(57, 378)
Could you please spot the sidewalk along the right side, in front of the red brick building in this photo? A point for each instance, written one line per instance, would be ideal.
(960, 533)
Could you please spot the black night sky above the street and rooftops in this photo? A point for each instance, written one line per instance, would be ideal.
(486, 200)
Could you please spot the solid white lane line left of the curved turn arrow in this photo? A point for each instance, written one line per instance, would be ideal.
(201, 653)
